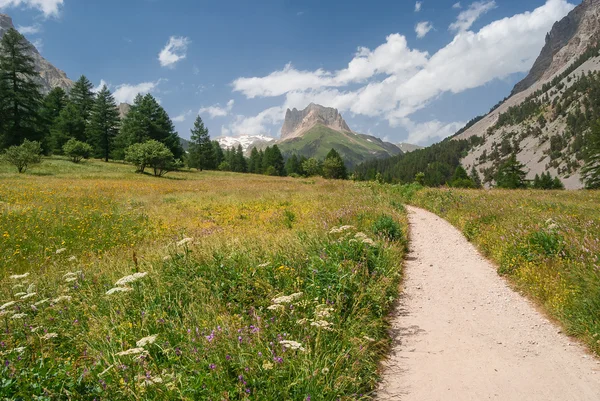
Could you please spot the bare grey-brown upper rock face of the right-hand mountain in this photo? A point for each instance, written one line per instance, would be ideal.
(568, 38)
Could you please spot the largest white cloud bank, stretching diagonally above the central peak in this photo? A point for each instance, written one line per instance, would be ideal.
(397, 81)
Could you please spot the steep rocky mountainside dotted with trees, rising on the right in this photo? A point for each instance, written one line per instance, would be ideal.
(545, 119)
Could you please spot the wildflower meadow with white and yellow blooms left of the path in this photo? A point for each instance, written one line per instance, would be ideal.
(119, 286)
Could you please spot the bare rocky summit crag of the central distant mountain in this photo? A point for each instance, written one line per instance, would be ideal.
(297, 122)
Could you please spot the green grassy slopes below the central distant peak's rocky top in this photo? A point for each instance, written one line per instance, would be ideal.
(354, 148)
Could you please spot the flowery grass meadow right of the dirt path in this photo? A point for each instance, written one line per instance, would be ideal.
(546, 242)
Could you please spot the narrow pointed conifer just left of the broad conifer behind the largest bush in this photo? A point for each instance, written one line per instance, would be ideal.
(104, 124)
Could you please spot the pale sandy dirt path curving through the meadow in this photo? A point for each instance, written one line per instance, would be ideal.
(462, 334)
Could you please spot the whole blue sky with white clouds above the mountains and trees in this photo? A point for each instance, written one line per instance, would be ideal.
(400, 70)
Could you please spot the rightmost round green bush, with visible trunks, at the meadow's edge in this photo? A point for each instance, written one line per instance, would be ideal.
(153, 154)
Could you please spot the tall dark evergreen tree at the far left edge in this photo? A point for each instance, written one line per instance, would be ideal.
(20, 92)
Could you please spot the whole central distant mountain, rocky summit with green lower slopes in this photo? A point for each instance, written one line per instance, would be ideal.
(314, 131)
